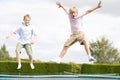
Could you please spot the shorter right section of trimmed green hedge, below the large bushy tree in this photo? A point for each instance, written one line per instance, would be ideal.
(100, 69)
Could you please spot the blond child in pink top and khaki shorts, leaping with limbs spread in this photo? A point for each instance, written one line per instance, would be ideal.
(77, 31)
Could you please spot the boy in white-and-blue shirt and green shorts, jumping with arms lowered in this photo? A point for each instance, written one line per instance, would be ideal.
(27, 38)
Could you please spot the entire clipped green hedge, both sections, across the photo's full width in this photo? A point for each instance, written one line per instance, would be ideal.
(49, 68)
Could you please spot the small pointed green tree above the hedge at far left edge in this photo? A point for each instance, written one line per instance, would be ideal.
(4, 55)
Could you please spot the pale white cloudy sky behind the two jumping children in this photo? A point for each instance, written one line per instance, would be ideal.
(53, 27)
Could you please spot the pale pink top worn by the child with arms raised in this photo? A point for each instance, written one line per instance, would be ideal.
(76, 23)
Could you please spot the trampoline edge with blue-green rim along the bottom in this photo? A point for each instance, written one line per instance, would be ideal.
(59, 77)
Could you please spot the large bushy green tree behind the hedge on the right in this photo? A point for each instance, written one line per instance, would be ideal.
(104, 52)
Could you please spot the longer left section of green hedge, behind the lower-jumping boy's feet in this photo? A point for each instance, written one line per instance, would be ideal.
(41, 68)
